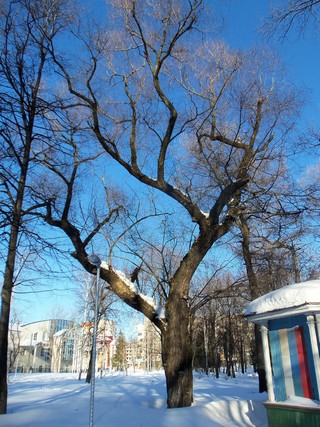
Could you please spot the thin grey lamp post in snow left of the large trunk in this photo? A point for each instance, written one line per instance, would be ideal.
(96, 261)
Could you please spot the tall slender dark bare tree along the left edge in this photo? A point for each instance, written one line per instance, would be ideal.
(27, 31)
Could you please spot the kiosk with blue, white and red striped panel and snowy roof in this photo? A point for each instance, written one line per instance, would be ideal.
(290, 328)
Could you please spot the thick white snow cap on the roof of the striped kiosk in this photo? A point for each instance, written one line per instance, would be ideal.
(286, 297)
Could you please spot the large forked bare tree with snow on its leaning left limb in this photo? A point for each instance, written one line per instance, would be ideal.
(188, 118)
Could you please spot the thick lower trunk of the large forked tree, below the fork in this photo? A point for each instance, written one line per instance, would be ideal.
(177, 355)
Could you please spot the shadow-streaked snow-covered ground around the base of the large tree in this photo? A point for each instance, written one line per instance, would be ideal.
(134, 400)
